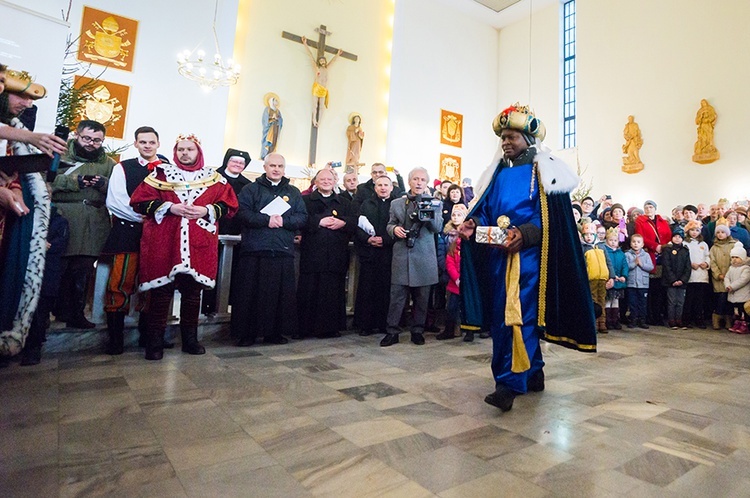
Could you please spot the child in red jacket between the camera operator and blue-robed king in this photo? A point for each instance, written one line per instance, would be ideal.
(453, 270)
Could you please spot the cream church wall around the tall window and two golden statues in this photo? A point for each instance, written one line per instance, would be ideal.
(656, 61)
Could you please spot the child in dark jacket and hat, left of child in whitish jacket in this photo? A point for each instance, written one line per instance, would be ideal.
(675, 260)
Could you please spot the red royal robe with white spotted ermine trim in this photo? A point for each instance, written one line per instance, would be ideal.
(173, 244)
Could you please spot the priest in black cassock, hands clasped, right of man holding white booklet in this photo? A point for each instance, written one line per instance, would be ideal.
(324, 260)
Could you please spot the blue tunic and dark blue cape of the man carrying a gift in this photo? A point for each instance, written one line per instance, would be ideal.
(514, 191)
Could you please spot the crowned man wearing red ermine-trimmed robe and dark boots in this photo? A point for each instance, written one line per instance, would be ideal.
(182, 204)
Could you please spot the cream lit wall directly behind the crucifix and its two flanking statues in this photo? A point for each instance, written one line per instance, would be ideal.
(274, 64)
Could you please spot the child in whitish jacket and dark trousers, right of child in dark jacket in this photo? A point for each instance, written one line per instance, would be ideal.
(698, 293)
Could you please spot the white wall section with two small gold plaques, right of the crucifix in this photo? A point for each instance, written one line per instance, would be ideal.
(441, 59)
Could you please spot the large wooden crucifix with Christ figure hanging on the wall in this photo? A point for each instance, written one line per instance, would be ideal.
(320, 90)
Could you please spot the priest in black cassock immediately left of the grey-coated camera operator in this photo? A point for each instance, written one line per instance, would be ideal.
(375, 250)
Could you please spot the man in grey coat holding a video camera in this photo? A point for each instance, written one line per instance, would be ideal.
(414, 220)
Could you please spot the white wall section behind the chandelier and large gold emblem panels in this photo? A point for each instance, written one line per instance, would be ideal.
(159, 96)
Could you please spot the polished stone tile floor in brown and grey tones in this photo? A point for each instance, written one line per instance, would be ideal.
(655, 413)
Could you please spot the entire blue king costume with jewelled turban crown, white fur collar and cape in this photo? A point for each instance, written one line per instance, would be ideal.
(542, 290)
